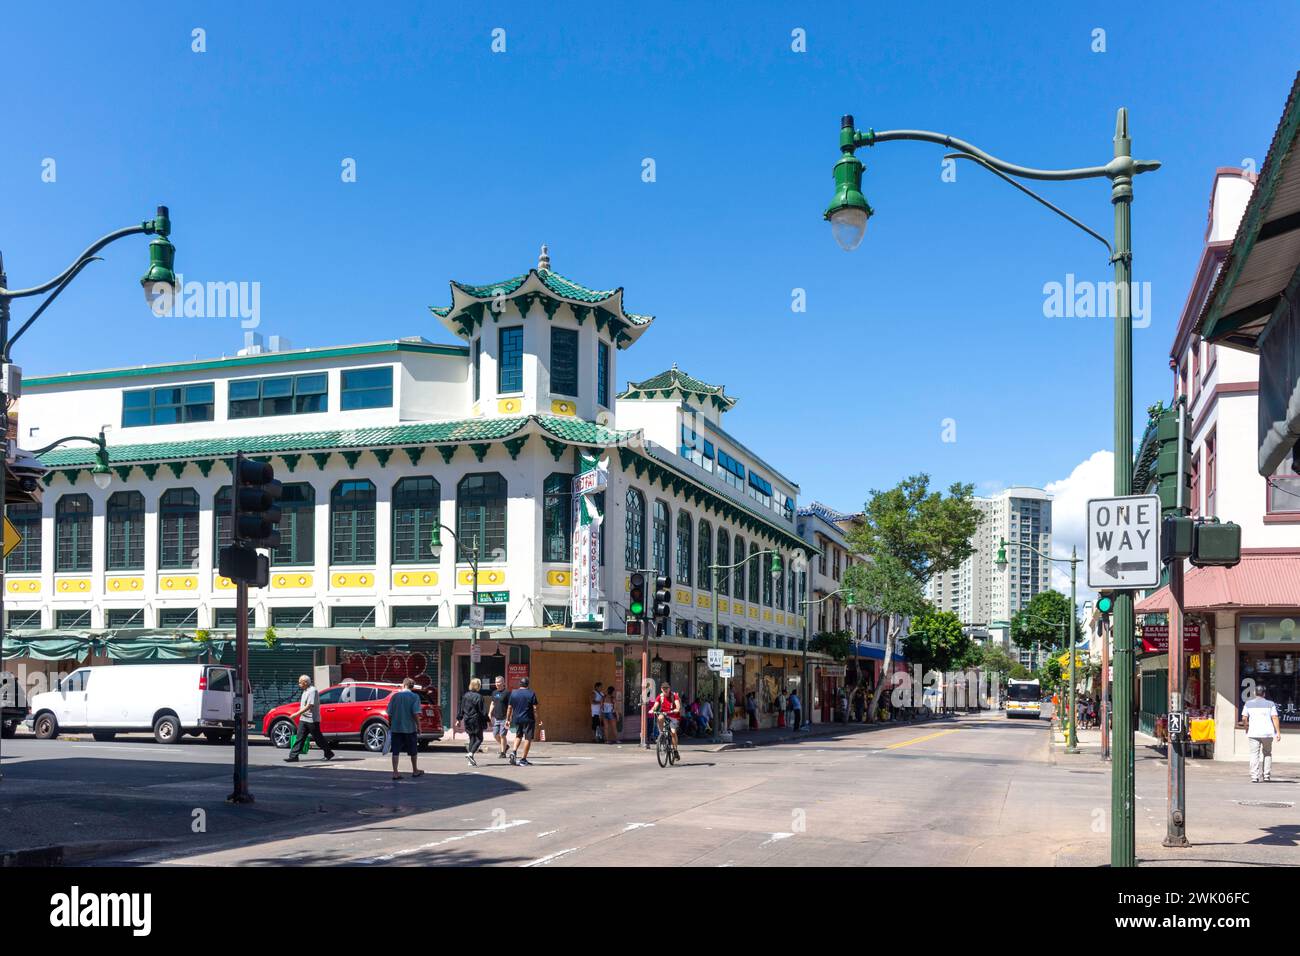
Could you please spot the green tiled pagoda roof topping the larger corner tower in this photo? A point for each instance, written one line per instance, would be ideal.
(470, 304)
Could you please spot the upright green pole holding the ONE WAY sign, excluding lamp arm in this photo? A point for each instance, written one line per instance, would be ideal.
(1123, 847)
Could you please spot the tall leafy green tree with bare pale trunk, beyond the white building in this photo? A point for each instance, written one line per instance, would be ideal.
(908, 534)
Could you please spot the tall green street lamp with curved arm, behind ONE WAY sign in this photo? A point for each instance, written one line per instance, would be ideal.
(848, 215)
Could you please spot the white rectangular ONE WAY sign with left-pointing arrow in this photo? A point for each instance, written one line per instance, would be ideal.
(1124, 543)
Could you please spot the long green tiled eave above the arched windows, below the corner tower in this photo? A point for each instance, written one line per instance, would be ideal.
(393, 436)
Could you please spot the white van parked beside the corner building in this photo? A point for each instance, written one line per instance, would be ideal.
(168, 699)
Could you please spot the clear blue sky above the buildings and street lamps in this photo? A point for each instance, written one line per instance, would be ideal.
(467, 161)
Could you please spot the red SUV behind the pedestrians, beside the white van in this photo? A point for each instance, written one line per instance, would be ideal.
(354, 711)
